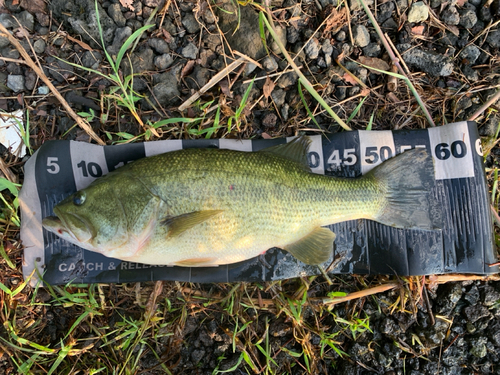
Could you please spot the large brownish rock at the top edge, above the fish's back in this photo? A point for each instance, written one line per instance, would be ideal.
(241, 28)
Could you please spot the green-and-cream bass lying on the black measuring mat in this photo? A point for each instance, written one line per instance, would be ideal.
(210, 207)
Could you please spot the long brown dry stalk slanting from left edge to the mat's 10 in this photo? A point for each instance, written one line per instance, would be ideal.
(28, 61)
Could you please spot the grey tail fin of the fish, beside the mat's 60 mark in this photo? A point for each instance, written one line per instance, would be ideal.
(406, 181)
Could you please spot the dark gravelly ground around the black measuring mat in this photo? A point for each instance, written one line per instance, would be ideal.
(451, 50)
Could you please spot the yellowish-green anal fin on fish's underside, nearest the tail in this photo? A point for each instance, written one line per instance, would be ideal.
(315, 248)
